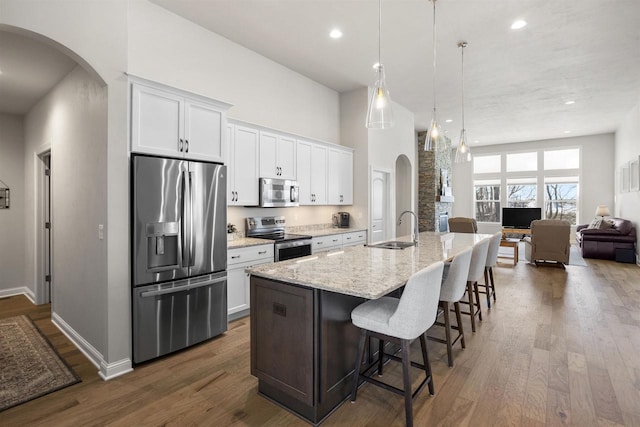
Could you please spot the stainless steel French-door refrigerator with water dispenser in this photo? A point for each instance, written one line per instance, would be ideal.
(179, 250)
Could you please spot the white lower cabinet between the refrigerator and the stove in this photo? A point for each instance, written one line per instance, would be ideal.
(238, 260)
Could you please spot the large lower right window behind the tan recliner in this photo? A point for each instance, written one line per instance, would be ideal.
(561, 198)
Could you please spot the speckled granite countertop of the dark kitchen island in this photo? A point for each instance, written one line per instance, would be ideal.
(365, 271)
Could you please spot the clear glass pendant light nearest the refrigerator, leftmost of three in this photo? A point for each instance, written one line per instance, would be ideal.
(380, 114)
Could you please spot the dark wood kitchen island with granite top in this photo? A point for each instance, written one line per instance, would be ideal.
(303, 344)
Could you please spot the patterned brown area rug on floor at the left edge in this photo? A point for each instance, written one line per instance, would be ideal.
(29, 366)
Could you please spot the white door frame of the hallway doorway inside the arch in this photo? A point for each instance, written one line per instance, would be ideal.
(41, 289)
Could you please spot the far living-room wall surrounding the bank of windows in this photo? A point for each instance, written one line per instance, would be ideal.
(596, 180)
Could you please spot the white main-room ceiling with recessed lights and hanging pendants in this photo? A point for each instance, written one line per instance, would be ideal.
(516, 82)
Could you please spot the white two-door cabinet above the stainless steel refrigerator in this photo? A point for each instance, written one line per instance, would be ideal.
(173, 123)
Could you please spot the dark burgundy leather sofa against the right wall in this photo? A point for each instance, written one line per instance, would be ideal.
(602, 239)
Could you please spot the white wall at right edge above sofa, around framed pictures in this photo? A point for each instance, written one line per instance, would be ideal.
(627, 147)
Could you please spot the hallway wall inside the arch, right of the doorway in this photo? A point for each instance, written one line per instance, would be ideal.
(73, 119)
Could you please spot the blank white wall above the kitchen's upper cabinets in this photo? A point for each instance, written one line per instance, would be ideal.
(169, 49)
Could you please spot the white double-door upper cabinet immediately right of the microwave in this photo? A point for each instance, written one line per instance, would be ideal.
(312, 173)
